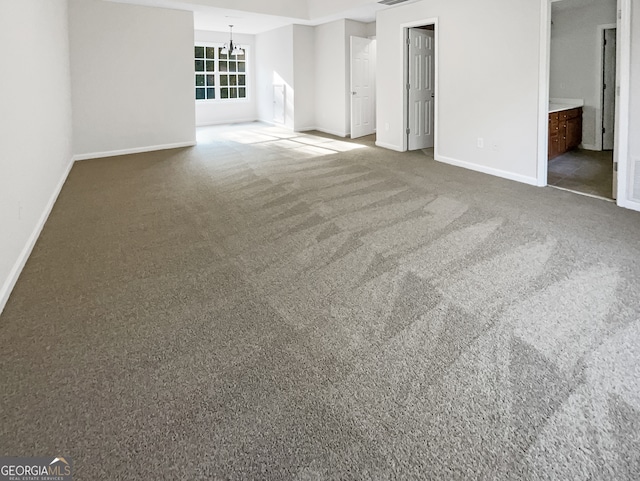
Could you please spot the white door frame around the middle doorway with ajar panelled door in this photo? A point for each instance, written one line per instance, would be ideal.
(404, 31)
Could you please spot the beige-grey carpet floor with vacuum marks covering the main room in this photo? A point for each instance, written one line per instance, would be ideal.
(270, 305)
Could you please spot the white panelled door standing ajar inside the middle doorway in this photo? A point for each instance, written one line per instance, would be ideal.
(421, 87)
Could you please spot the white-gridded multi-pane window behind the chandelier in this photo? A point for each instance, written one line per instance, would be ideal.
(219, 75)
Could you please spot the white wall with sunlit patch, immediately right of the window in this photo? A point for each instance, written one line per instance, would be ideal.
(274, 66)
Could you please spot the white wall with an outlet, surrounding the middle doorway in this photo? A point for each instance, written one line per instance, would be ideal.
(488, 72)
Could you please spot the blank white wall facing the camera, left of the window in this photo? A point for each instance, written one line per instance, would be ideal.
(132, 77)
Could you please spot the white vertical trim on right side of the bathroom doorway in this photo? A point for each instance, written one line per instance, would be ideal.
(621, 142)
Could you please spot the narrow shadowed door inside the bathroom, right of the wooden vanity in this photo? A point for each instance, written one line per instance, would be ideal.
(609, 89)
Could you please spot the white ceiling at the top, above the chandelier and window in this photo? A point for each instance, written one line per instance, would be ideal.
(207, 16)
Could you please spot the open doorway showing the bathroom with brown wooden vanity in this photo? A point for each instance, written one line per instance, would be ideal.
(582, 97)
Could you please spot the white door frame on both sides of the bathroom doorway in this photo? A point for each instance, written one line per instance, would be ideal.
(623, 66)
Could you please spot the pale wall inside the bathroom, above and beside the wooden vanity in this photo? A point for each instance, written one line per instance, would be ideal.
(575, 60)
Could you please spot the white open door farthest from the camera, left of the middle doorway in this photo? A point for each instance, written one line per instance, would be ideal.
(362, 86)
